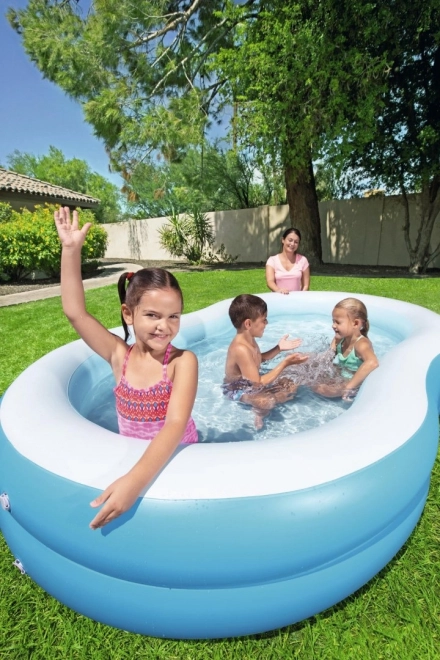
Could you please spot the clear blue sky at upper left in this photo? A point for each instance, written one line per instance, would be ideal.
(35, 113)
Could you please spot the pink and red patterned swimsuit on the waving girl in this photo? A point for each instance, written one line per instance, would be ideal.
(142, 413)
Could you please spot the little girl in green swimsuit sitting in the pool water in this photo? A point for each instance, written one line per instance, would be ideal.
(354, 351)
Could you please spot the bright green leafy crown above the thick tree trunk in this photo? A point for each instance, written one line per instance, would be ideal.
(302, 72)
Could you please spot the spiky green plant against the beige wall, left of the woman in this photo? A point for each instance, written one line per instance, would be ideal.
(192, 236)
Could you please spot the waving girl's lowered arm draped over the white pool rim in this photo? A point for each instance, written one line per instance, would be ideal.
(123, 493)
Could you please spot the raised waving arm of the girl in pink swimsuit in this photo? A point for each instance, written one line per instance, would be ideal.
(90, 329)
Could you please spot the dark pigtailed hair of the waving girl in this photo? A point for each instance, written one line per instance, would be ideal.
(132, 286)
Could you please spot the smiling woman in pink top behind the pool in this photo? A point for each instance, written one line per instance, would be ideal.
(288, 271)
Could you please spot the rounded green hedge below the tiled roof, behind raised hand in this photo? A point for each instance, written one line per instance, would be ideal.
(29, 241)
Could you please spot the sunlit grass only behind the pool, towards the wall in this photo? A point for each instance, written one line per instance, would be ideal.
(36, 328)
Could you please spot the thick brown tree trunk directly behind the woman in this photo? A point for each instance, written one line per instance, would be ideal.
(304, 211)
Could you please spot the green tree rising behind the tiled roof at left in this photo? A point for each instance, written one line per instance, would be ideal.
(74, 174)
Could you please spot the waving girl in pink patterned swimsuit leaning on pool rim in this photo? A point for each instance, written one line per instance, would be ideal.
(156, 382)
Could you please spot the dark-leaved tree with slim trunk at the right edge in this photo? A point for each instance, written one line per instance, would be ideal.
(403, 153)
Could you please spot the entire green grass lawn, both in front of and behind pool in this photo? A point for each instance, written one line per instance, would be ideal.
(396, 615)
